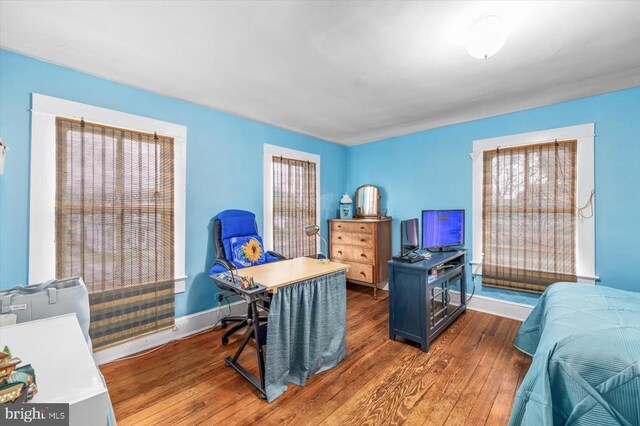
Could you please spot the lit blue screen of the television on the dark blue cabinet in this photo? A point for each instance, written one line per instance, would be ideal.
(442, 228)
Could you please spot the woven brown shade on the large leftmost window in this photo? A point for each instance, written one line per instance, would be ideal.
(115, 226)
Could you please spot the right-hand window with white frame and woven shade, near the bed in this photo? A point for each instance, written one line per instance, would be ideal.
(533, 221)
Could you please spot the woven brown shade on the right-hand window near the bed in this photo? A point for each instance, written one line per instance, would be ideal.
(529, 216)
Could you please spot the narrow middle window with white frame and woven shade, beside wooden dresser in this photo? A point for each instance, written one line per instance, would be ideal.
(291, 200)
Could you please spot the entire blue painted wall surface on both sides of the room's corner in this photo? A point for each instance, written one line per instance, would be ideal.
(425, 170)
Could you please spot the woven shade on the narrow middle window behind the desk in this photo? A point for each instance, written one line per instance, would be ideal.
(294, 206)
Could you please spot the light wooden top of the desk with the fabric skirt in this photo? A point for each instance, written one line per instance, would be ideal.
(286, 272)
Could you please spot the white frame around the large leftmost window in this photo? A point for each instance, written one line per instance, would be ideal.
(44, 110)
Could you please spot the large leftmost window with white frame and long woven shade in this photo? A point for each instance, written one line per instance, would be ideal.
(117, 209)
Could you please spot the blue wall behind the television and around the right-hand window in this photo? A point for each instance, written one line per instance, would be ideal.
(432, 170)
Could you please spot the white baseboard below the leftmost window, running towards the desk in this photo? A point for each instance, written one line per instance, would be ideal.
(185, 326)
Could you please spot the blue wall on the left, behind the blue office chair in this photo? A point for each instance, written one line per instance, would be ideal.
(224, 163)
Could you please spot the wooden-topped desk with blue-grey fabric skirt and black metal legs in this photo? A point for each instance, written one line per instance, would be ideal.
(325, 327)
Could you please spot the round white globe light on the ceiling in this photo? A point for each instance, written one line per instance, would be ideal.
(486, 37)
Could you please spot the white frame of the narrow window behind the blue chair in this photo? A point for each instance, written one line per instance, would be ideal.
(271, 151)
